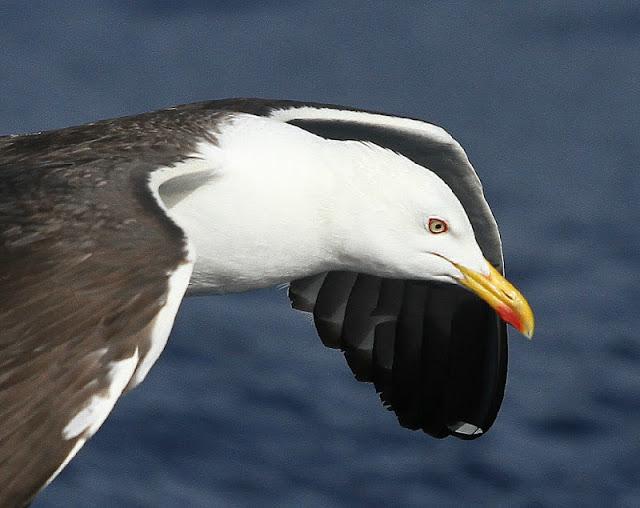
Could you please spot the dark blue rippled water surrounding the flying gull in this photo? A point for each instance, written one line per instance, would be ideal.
(245, 407)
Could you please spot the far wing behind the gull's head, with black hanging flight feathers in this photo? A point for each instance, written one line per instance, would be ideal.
(436, 353)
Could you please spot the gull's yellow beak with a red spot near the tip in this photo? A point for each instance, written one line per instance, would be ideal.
(505, 299)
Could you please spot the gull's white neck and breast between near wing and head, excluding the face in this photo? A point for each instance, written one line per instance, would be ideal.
(271, 203)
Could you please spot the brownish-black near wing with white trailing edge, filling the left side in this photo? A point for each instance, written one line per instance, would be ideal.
(86, 260)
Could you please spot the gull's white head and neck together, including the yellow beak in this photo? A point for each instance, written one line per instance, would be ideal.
(282, 204)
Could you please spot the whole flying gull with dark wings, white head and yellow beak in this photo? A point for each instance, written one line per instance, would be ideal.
(377, 223)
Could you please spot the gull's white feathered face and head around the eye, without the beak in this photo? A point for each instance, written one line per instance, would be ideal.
(401, 220)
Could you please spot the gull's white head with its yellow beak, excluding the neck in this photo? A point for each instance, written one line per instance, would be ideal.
(407, 223)
